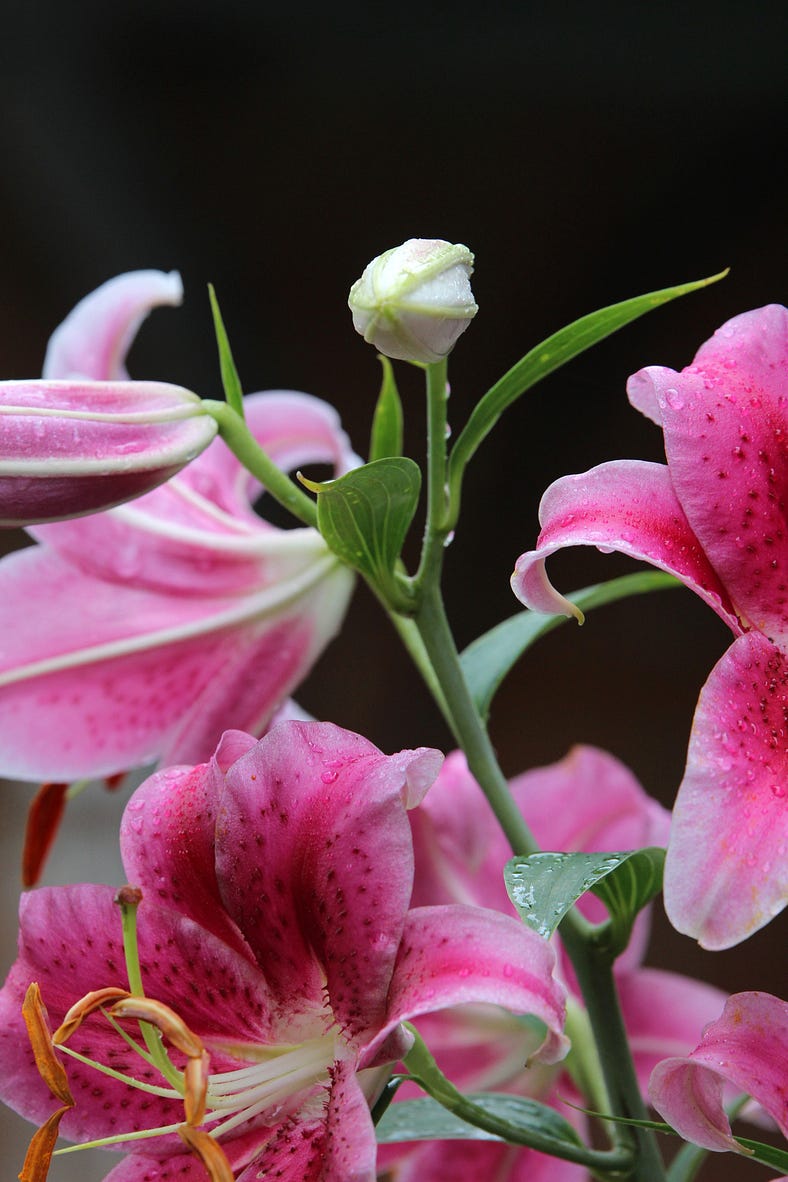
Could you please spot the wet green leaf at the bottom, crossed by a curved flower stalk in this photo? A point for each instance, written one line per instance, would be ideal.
(427, 1120)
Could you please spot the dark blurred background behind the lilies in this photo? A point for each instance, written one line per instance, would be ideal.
(587, 153)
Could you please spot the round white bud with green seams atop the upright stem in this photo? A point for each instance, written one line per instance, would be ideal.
(414, 302)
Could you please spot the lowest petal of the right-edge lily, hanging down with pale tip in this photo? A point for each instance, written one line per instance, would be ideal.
(727, 872)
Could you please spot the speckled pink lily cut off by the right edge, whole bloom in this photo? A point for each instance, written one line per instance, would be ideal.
(715, 517)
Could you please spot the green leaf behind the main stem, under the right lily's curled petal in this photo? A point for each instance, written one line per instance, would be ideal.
(489, 660)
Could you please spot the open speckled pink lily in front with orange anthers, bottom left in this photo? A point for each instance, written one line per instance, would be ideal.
(276, 934)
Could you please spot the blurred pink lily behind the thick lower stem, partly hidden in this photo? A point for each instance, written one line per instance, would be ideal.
(588, 802)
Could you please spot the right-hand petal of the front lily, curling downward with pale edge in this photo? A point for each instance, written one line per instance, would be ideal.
(454, 956)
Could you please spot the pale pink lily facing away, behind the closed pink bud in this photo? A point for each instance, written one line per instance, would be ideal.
(142, 633)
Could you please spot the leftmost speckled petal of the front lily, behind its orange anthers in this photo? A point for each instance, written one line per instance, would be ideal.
(71, 943)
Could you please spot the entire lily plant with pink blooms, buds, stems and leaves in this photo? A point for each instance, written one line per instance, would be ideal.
(334, 965)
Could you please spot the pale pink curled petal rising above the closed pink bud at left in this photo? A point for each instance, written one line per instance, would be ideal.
(96, 336)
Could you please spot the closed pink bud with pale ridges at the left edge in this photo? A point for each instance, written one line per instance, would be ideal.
(75, 447)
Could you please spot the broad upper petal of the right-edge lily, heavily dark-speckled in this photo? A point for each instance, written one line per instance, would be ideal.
(726, 424)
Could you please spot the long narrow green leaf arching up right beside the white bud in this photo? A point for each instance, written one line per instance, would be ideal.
(553, 353)
